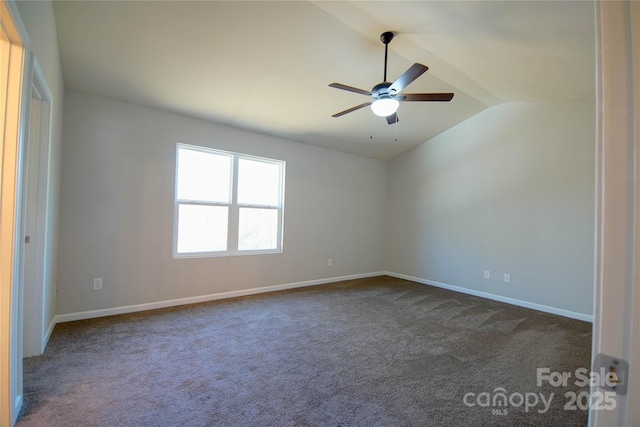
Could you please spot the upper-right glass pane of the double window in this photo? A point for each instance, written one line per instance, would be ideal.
(258, 183)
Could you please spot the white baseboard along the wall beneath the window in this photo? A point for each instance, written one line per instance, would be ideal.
(203, 298)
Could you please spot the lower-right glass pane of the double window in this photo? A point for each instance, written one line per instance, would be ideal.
(258, 229)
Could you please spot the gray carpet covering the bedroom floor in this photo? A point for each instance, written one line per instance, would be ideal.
(370, 352)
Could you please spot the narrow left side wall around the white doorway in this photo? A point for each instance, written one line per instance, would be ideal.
(39, 21)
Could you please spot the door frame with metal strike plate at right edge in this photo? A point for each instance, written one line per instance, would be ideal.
(617, 249)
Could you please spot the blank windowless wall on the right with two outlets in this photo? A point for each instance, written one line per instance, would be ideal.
(510, 190)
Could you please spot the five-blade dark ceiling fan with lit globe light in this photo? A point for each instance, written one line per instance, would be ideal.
(386, 96)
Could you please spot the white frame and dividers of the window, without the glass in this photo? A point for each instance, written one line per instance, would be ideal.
(234, 206)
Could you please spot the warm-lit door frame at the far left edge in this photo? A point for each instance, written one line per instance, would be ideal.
(10, 220)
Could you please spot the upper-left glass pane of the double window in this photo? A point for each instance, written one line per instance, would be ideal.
(203, 176)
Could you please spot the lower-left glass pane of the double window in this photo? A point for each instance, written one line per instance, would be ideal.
(202, 228)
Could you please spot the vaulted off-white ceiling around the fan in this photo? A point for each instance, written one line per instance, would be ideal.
(266, 65)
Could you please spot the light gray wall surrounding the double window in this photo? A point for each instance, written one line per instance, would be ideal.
(116, 212)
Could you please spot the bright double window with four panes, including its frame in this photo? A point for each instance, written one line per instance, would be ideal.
(227, 203)
